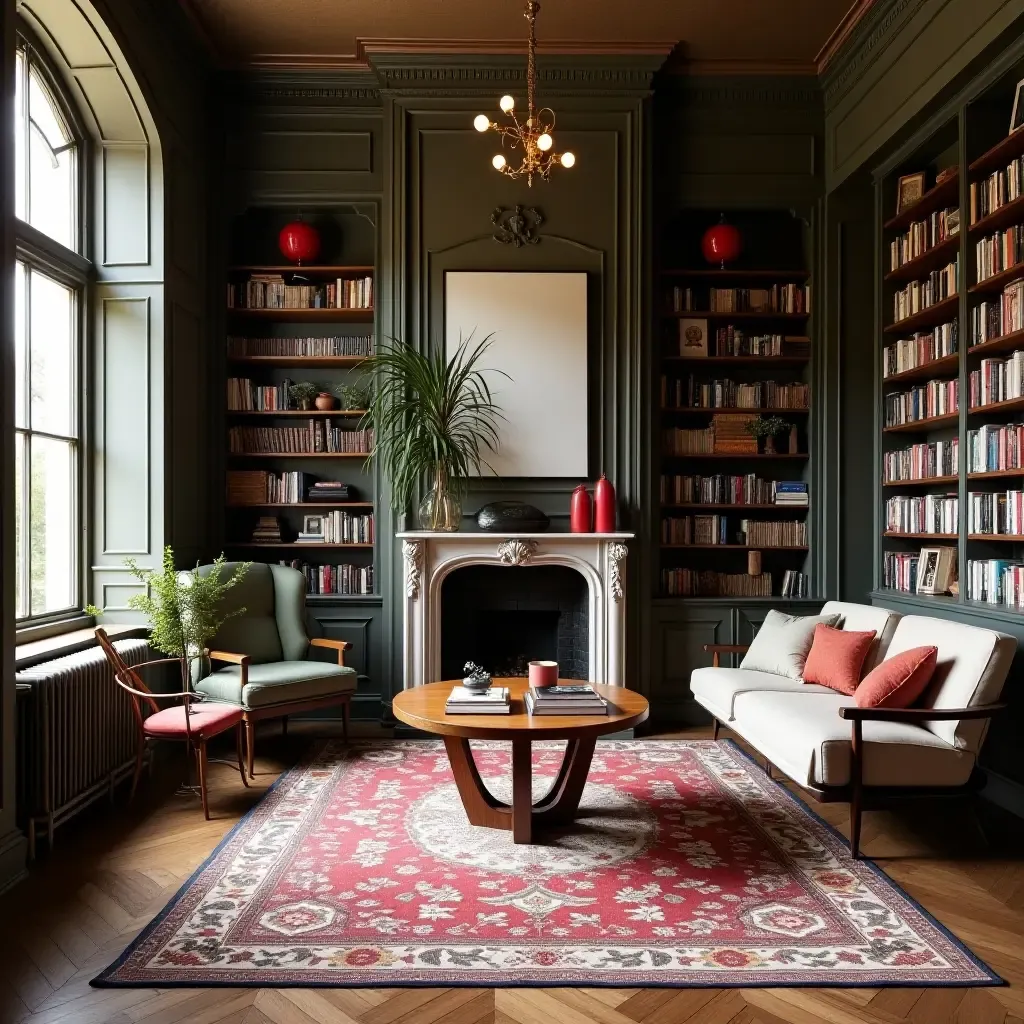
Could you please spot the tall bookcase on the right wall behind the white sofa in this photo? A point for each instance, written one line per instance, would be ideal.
(952, 370)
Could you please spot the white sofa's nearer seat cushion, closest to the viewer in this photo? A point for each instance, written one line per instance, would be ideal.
(805, 738)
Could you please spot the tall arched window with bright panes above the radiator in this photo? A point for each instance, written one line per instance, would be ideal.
(51, 280)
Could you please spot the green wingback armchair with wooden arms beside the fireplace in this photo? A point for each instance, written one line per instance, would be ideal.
(261, 660)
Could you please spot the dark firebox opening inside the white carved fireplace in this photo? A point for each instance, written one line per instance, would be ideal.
(503, 618)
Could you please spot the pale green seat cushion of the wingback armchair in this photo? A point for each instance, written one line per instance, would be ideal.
(279, 682)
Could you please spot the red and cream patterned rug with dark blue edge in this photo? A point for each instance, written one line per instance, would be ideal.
(687, 867)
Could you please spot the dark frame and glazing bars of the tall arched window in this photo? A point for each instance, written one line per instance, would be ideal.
(75, 271)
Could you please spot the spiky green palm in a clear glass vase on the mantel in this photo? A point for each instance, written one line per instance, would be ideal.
(435, 419)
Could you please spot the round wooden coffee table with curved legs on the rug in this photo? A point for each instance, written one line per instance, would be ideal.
(423, 708)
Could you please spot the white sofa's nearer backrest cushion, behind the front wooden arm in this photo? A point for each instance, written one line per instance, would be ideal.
(971, 669)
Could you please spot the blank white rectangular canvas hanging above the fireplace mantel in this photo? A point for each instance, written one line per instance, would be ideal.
(539, 323)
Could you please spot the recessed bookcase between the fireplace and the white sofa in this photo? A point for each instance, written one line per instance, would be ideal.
(735, 346)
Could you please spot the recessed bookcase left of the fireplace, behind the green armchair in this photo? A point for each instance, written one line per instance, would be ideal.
(288, 325)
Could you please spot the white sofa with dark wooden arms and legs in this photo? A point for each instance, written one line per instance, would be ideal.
(822, 741)
